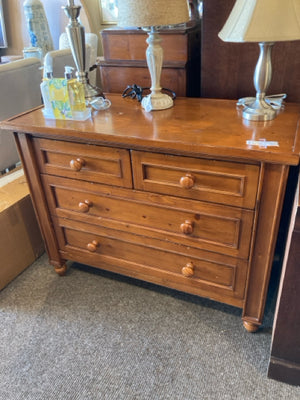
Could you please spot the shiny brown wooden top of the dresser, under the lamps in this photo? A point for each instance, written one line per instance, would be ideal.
(193, 126)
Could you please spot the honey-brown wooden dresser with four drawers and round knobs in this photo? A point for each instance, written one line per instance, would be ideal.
(174, 197)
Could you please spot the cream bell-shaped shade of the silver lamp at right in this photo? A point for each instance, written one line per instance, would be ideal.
(262, 21)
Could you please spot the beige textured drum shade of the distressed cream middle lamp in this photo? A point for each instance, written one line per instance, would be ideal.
(143, 13)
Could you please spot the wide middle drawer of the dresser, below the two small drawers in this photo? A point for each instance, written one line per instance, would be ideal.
(216, 228)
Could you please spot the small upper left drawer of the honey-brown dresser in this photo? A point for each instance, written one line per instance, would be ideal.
(83, 161)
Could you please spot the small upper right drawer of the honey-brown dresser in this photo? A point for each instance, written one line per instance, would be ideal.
(223, 182)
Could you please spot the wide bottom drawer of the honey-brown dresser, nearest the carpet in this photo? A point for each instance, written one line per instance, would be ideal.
(132, 256)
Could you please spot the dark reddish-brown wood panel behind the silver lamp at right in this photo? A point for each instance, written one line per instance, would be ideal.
(227, 68)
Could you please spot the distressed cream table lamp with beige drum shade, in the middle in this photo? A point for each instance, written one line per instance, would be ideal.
(153, 14)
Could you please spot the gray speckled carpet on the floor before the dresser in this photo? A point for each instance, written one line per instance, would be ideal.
(97, 336)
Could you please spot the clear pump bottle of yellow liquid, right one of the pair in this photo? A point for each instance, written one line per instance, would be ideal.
(76, 94)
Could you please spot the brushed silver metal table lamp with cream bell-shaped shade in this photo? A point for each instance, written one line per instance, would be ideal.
(265, 22)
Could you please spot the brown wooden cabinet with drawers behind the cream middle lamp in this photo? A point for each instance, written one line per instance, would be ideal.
(124, 60)
